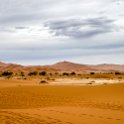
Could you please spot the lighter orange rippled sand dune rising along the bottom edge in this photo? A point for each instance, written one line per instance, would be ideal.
(62, 115)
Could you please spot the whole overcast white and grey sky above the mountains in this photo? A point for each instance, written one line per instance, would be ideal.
(40, 32)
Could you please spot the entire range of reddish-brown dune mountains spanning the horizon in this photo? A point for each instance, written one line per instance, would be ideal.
(62, 66)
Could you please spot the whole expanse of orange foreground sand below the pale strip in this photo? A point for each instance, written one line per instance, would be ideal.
(23, 103)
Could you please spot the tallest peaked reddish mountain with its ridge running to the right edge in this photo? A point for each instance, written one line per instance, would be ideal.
(65, 65)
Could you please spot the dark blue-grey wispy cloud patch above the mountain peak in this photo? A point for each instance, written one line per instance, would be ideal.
(81, 28)
